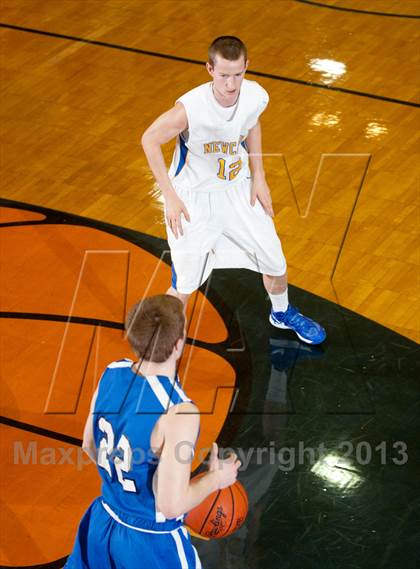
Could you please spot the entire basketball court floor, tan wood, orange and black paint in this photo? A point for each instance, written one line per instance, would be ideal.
(328, 435)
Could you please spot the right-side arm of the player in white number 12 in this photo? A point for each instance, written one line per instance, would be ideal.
(260, 189)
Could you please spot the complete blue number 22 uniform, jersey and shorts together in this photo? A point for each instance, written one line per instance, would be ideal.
(122, 529)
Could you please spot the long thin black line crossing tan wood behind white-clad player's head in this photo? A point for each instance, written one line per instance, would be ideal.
(201, 63)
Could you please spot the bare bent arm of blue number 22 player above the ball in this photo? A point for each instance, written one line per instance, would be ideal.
(176, 493)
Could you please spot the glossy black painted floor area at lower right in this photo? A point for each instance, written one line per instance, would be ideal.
(328, 437)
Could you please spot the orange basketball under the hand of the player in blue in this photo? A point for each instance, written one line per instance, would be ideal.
(221, 513)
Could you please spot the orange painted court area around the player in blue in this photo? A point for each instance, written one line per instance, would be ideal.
(45, 359)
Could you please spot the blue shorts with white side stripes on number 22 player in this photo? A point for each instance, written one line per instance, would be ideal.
(104, 543)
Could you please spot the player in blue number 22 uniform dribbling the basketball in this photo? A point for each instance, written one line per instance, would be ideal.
(140, 432)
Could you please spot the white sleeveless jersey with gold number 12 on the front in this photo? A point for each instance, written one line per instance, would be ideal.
(212, 151)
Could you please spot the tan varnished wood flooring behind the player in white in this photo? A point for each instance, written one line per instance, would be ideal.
(343, 167)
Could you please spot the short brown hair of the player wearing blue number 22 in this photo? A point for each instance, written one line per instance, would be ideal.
(154, 325)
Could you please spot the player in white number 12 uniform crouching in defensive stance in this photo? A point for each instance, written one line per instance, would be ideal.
(217, 183)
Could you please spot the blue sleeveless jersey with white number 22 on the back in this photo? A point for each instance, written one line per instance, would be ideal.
(127, 408)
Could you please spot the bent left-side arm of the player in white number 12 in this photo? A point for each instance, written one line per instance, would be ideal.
(162, 130)
